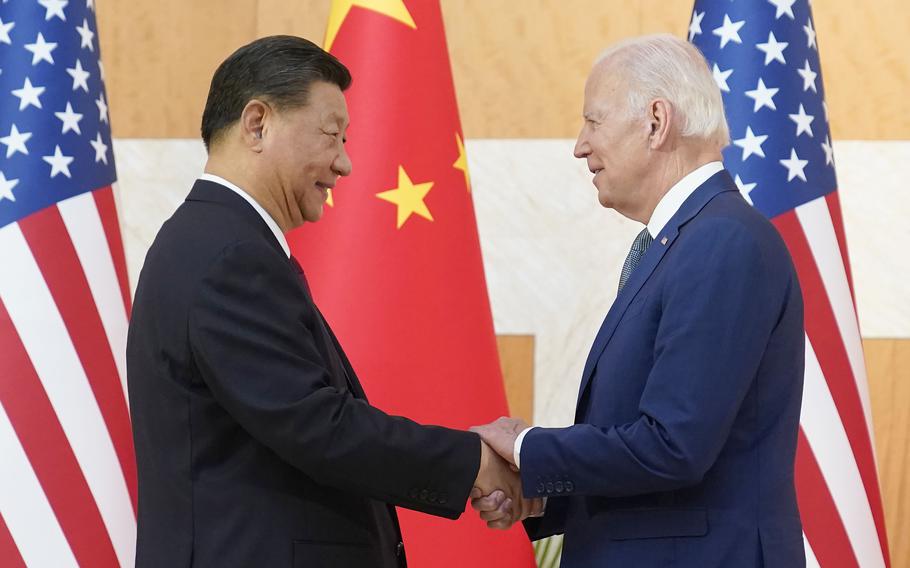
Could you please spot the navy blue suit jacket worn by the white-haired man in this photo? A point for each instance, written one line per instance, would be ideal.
(687, 418)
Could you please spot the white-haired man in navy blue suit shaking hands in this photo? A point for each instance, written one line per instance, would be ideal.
(685, 432)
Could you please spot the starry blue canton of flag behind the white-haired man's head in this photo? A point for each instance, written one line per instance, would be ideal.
(764, 56)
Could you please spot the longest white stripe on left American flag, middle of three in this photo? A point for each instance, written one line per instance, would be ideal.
(47, 342)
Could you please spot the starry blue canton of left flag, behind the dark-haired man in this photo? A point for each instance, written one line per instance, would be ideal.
(55, 134)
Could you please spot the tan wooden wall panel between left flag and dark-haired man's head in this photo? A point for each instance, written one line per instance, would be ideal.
(159, 58)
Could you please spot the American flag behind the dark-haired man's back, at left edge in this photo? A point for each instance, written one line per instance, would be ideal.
(67, 472)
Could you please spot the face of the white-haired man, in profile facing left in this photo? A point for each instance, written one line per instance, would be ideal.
(614, 143)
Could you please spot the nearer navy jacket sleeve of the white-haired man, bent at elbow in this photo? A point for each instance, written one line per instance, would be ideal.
(722, 300)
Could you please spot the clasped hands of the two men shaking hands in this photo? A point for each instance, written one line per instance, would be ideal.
(497, 495)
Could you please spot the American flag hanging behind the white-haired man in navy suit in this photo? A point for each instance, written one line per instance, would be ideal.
(764, 56)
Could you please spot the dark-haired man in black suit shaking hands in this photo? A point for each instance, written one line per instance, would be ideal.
(255, 442)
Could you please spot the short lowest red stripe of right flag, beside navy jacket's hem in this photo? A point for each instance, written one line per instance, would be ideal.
(821, 520)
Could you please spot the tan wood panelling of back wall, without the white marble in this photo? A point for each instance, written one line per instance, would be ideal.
(519, 68)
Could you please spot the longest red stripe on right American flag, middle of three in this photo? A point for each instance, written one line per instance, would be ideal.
(823, 332)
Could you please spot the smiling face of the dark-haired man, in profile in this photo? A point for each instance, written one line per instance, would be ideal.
(304, 147)
